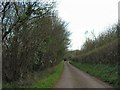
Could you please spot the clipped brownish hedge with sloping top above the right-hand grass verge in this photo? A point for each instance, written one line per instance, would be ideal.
(106, 54)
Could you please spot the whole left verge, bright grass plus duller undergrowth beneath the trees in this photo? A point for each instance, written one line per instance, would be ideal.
(44, 79)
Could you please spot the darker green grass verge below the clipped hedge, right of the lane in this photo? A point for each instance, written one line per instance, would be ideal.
(107, 73)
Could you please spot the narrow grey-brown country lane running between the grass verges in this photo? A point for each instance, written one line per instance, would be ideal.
(75, 78)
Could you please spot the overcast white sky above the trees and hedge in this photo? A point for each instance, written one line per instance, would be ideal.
(87, 15)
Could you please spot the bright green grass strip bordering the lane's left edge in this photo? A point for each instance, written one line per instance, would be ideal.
(51, 79)
